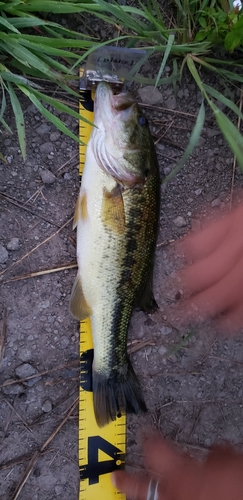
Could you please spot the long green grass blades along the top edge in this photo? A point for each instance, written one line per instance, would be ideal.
(204, 36)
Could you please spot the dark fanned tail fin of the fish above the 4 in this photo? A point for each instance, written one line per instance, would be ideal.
(118, 393)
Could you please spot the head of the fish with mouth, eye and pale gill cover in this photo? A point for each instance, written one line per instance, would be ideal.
(122, 141)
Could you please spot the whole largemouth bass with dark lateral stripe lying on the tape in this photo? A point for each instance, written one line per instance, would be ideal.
(116, 216)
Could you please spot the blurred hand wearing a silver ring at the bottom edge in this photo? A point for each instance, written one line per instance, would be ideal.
(172, 476)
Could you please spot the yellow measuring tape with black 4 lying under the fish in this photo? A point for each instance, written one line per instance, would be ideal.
(101, 450)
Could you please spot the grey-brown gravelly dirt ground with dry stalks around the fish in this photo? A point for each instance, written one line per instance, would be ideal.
(193, 388)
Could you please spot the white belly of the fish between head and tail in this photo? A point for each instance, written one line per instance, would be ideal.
(99, 253)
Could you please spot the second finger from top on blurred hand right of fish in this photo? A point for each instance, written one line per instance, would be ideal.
(210, 270)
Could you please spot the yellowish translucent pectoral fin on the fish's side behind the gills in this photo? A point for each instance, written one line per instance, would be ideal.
(113, 214)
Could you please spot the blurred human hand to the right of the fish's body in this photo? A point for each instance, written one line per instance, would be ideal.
(214, 280)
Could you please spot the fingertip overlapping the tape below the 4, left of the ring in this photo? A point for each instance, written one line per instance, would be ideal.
(135, 486)
